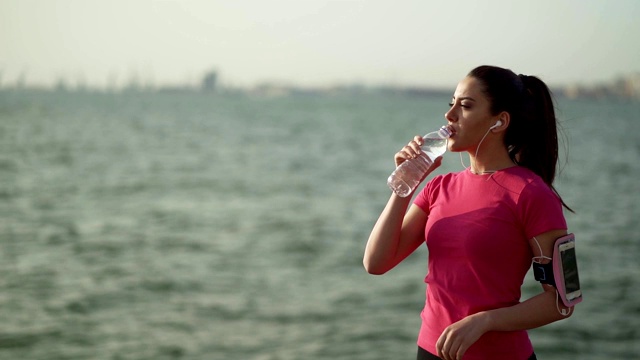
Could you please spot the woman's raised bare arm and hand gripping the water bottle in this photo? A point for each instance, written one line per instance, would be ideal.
(398, 232)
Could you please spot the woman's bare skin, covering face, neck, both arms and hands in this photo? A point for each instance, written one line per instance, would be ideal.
(398, 231)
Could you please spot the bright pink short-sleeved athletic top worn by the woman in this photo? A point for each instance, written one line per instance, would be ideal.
(477, 234)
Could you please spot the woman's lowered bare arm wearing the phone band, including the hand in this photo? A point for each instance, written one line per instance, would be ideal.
(537, 311)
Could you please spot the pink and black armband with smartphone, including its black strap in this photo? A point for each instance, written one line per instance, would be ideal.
(562, 271)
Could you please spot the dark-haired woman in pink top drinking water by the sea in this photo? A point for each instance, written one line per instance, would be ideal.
(483, 225)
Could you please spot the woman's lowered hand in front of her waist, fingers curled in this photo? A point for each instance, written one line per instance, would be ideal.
(458, 337)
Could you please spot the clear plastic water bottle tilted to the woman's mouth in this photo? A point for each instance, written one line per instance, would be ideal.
(406, 177)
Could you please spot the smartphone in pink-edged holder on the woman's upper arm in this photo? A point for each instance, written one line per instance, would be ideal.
(566, 270)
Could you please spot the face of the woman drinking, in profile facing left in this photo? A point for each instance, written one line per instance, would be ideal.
(469, 115)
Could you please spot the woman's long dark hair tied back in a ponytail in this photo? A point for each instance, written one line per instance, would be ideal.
(532, 135)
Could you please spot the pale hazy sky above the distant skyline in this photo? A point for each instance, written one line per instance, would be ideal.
(315, 42)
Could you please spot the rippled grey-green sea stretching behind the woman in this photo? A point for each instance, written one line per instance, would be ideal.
(177, 225)
